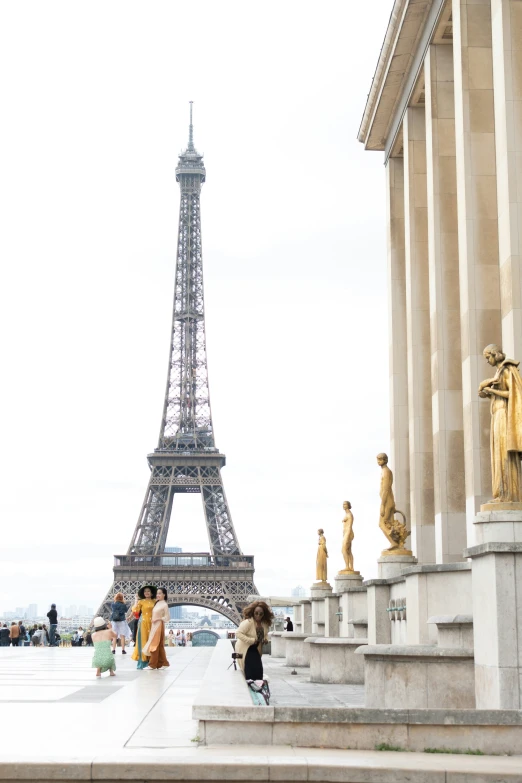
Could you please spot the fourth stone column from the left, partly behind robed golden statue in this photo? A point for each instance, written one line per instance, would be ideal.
(478, 234)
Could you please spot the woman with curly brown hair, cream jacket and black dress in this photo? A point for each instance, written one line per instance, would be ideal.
(251, 635)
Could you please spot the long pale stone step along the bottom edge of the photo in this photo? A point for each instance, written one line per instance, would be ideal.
(283, 764)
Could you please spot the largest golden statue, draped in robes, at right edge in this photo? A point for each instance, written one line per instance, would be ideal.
(505, 391)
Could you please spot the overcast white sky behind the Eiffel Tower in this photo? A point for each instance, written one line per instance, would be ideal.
(94, 99)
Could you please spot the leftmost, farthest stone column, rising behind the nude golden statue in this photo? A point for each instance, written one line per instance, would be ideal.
(399, 448)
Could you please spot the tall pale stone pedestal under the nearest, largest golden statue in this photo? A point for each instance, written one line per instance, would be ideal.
(497, 608)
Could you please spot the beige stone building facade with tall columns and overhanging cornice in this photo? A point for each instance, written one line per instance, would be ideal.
(445, 107)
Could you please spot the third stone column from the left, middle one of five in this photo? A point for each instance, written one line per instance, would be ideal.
(443, 252)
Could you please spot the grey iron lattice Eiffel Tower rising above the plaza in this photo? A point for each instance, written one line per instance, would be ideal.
(186, 459)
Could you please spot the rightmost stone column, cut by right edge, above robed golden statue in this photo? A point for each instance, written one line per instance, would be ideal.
(507, 82)
